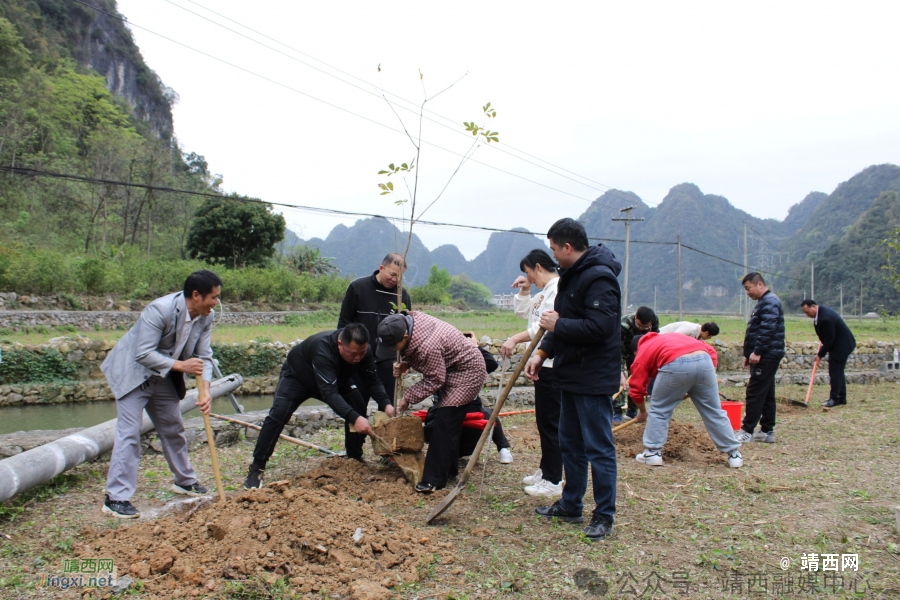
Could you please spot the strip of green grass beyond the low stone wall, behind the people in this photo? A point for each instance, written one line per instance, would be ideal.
(493, 324)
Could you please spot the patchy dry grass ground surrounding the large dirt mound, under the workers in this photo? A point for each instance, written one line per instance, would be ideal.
(828, 486)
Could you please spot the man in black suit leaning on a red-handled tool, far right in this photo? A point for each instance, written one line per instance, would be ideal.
(837, 342)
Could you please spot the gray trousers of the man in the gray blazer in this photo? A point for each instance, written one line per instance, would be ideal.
(161, 403)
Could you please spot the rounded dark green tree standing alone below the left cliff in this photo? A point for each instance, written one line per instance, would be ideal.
(235, 233)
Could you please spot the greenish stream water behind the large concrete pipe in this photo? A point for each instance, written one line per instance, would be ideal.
(87, 414)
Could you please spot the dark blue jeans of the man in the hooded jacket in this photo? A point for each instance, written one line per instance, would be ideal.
(585, 436)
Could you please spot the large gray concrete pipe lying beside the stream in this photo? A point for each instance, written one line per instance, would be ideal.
(39, 465)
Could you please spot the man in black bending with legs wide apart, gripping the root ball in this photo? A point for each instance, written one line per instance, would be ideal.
(323, 366)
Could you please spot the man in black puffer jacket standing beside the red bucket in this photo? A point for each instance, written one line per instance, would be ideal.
(763, 351)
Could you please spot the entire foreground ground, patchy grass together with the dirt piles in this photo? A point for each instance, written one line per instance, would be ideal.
(689, 529)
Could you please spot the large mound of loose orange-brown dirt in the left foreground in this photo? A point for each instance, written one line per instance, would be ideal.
(310, 532)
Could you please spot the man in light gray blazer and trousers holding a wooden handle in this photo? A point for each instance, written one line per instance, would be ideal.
(145, 372)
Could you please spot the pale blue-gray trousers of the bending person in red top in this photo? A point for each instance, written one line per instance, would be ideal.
(694, 375)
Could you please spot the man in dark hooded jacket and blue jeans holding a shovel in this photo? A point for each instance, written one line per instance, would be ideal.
(583, 339)
